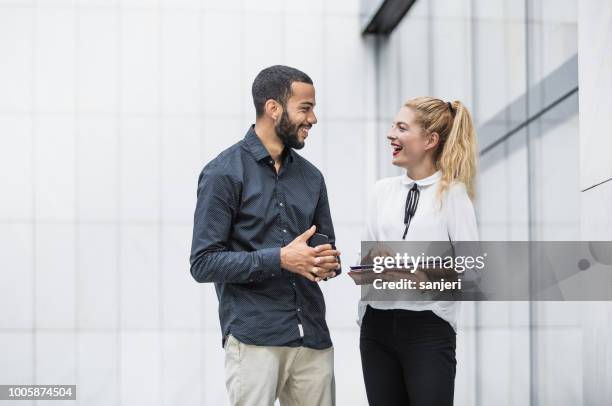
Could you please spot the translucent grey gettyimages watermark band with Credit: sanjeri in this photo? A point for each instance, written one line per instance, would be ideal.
(485, 270)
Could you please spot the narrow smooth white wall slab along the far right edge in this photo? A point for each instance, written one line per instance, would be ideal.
(595, 64)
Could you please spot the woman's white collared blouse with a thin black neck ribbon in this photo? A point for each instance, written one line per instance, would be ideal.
(455, 220)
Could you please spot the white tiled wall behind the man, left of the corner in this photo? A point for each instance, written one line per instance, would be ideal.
(108, 111)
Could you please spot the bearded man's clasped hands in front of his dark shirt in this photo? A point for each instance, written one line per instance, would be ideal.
(314, 264)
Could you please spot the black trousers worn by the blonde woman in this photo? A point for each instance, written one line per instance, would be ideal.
(408, 358)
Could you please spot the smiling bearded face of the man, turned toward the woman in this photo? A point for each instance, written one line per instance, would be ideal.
(298, 116)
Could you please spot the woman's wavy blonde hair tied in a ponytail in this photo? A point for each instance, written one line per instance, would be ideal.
(455, 155)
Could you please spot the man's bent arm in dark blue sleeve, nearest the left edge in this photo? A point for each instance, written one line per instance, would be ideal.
(211, 260)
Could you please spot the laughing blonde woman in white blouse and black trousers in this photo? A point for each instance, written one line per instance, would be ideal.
(408, 347)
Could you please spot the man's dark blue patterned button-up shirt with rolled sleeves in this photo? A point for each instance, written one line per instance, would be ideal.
(245, 212)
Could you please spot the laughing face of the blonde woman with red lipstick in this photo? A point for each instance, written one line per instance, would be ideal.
(409, 141)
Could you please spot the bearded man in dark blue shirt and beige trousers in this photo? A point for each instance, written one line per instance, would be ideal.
(259, 203)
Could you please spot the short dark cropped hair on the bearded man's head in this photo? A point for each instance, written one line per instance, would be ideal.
(275, 83)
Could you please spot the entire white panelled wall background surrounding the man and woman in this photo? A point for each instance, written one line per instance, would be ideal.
(110, 108)
